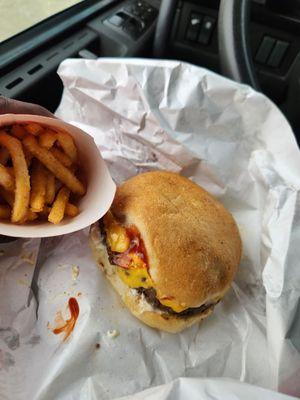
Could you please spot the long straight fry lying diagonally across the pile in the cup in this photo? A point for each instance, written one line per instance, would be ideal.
(55, 166)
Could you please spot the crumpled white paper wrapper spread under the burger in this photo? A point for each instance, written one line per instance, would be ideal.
(145, 115)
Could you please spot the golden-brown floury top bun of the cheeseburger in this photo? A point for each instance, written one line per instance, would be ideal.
(192, 242)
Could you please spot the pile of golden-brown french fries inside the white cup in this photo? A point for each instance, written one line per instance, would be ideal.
(39, 171)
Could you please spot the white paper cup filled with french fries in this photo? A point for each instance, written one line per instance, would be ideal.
(55, 167)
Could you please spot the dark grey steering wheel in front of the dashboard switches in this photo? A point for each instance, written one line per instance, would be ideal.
(234, 46)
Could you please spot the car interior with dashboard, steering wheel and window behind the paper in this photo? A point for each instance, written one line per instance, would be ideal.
(254, 42)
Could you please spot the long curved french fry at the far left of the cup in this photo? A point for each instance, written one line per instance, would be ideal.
(22, 180)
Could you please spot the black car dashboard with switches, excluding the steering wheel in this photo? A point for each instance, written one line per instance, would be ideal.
(111, 28)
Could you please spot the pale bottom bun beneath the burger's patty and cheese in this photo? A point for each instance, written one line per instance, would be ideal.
(135, 302)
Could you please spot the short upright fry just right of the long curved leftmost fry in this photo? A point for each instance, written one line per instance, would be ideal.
(38, 187)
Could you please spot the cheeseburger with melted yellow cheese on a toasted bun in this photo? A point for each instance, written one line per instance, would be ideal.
(169, 248)
